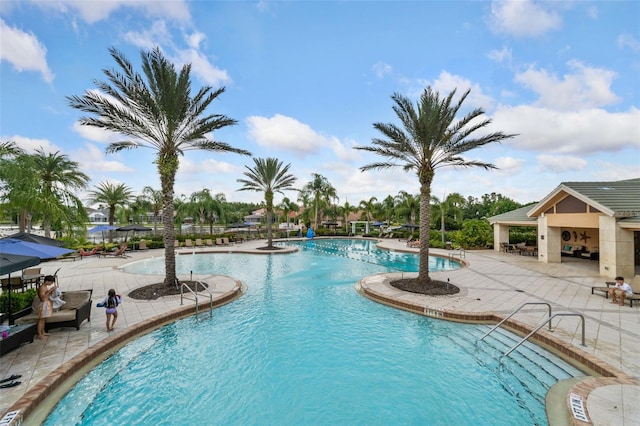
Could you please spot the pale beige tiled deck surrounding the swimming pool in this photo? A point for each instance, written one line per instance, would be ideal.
(492, 284)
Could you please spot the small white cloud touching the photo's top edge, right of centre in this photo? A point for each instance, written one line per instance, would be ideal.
(523, 18)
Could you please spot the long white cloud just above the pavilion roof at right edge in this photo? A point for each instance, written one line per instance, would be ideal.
(569, 132)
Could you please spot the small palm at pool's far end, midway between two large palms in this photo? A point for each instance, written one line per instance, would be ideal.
(268, 176)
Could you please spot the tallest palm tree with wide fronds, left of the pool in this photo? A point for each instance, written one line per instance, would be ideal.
(156, 110)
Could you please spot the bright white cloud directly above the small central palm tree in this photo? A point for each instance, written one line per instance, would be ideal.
(286, 133)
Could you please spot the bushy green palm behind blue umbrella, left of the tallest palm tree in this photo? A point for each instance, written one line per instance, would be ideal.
(59, 179)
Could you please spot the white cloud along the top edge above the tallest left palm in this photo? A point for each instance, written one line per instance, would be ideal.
(95, 11)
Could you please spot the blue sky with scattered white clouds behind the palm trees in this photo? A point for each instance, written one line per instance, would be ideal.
(307, 80)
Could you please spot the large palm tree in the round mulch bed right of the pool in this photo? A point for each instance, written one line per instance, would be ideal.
(430, 137)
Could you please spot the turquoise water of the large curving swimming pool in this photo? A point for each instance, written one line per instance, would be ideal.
(302, 347)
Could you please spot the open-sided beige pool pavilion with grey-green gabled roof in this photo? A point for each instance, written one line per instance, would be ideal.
(599, 221)
